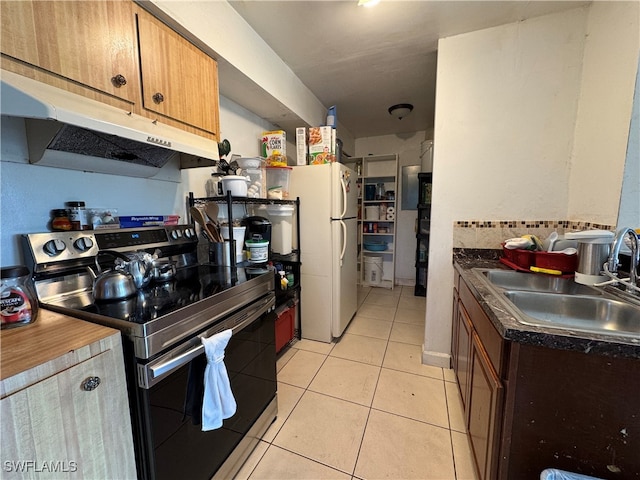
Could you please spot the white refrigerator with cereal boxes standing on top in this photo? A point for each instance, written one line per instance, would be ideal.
(328, 245)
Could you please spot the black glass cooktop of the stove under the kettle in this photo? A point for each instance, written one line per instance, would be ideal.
(190, 285)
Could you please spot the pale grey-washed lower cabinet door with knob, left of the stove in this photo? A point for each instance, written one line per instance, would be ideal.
(58, 425)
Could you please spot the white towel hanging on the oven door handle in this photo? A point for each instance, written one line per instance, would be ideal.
(218, 402)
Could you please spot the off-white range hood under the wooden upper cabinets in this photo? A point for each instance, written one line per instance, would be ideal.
(66, 130)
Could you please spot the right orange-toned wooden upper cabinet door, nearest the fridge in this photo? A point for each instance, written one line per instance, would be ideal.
(179, 81)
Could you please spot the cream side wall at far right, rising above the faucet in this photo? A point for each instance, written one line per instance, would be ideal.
(606, 98)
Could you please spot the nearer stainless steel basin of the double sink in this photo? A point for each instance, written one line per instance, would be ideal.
(577, 312)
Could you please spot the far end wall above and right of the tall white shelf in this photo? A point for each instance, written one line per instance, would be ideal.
(408, 149)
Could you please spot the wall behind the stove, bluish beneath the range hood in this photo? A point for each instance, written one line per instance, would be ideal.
(30, 192)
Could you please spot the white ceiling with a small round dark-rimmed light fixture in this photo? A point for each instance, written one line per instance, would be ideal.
(363, 60)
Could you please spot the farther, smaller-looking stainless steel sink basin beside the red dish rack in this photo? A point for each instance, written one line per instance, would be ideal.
(511, 280)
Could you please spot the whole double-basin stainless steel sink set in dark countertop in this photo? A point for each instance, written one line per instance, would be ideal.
(549, 301)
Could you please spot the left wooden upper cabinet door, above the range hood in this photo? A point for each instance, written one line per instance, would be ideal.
(89, 42)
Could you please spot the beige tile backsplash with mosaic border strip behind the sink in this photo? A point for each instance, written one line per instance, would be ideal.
(491, 233)
